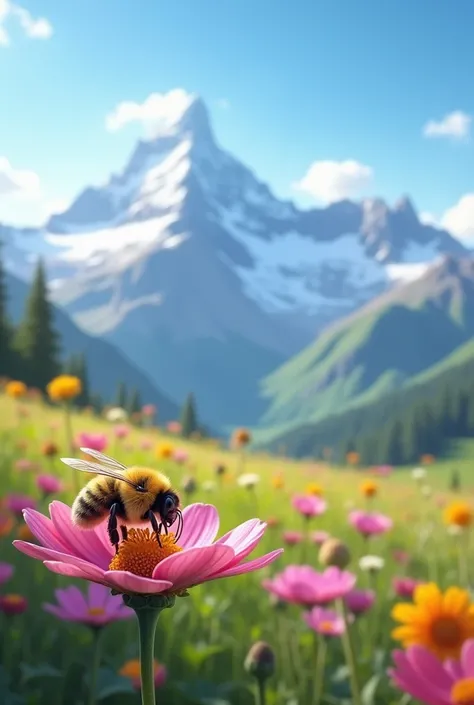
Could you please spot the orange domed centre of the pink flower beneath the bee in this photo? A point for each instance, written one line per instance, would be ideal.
(140, 553)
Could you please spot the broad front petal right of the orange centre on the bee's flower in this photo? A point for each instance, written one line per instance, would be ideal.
(194, 565)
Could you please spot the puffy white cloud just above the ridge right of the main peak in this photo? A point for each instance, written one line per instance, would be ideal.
(330, 181)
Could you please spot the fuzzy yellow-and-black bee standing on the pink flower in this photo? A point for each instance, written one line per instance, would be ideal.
(134, 495)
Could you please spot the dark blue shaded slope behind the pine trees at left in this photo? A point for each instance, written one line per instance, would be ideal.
(106, 364)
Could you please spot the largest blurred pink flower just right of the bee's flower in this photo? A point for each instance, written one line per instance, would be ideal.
(303, 585)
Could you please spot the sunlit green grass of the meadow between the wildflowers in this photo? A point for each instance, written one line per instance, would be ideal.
(204, 639)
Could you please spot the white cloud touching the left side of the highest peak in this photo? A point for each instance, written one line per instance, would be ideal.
(160, 111)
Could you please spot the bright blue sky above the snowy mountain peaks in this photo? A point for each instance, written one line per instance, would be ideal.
(303, 81)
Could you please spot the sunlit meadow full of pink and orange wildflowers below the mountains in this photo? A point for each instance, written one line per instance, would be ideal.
(369, 603)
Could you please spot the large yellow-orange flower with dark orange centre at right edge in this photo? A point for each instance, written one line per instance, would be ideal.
(441, 622)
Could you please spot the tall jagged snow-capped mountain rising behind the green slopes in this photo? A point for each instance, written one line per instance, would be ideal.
(203, 277)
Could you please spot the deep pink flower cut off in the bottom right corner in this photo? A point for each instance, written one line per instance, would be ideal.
(420, 674)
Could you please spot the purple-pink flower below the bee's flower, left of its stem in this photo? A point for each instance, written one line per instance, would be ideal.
(96, 609)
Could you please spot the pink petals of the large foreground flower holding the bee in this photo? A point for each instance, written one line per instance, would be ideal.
(68, 550)
